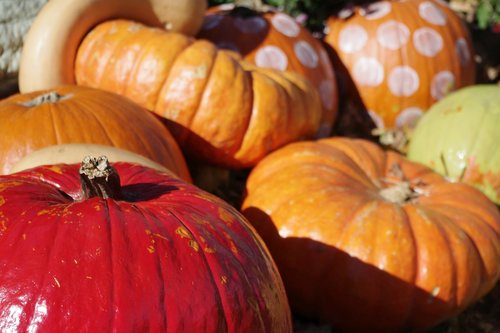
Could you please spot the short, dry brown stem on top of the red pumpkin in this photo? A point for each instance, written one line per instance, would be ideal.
(99, 179)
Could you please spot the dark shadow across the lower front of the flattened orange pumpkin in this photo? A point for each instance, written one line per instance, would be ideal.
(327, 285)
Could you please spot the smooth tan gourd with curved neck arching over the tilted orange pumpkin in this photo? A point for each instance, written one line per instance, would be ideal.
(51, 42)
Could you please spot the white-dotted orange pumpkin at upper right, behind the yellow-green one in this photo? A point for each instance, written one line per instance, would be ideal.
(402, 56)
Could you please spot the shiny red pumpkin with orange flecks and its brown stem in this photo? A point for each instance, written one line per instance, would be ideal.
(125, 248)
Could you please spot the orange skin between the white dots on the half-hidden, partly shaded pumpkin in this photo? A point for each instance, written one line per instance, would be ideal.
(248, 43)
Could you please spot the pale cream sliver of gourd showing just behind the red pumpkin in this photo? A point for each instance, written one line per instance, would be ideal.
(74, 152)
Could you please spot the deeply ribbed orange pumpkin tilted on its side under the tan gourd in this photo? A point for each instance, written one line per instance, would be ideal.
(219, 108)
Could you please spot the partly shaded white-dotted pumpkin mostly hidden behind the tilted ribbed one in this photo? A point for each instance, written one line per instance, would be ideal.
(273, 39)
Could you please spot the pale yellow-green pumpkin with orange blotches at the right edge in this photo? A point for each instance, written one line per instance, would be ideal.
(459, 136)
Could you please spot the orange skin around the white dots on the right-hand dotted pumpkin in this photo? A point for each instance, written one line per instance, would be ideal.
(379, 98)
